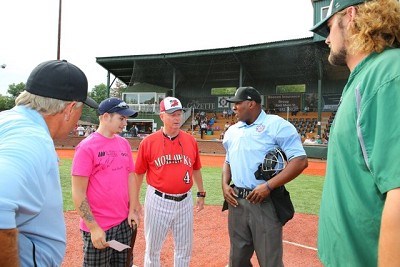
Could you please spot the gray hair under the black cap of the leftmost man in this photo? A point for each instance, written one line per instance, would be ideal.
(44, 105)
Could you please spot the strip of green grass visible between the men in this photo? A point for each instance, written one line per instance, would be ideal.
(305, 190)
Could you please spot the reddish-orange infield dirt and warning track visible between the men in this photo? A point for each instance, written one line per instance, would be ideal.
(211, 241)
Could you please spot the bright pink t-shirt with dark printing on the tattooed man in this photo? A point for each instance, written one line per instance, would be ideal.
(107, 162)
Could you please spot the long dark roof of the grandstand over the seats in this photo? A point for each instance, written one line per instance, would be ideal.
(280, 62)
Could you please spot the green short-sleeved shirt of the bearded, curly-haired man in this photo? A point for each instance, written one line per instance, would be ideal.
(362, 162)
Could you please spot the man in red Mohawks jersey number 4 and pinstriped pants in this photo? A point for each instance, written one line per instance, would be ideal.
(170, 158)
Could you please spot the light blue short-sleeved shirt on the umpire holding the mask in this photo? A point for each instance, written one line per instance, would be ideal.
(247, 145)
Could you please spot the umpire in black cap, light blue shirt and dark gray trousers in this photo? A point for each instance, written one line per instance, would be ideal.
(252, 221)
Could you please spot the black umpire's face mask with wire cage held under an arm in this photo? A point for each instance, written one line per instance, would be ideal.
(273, 163)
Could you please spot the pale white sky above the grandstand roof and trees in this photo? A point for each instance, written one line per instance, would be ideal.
(97, 28)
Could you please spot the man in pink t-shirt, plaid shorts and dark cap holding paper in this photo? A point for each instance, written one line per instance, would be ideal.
(102, 184)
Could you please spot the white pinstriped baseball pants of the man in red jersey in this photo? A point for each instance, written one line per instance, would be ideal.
(162, 215)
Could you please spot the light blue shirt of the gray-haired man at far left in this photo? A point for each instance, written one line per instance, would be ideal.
(30, 190)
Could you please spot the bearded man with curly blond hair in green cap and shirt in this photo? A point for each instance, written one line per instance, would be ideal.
(359, 221)
